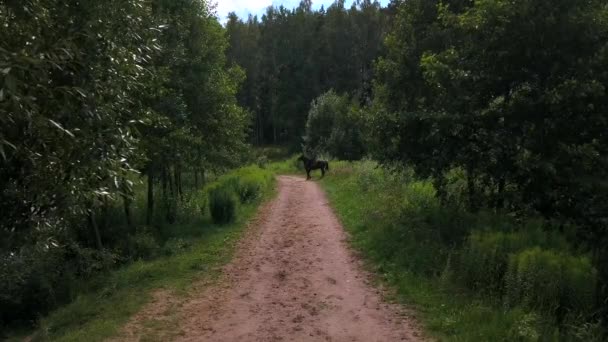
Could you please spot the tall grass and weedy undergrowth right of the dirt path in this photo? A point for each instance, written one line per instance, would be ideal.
(473, 277)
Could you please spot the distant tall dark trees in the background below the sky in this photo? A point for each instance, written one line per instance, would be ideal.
(292, 56)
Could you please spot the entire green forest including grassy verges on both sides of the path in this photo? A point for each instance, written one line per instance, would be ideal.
(476, 129)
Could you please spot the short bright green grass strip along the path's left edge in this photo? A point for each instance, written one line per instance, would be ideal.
(106, 303)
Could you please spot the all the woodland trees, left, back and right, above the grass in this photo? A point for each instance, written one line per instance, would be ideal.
(104, 103)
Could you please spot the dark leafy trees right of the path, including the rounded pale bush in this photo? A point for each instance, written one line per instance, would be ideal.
(510, 95)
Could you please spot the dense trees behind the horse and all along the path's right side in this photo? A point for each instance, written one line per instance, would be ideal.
(509, 96)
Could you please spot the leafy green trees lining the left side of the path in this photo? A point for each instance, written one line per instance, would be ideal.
(96, 97)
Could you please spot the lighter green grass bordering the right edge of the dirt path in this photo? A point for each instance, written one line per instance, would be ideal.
(375, 207)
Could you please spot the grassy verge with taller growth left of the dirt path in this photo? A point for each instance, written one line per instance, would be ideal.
(171, 257)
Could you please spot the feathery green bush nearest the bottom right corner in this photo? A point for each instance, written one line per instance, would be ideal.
(552, 282)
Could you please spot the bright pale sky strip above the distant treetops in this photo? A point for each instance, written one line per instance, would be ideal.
(257, 7)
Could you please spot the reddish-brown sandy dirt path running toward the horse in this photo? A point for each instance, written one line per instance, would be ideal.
(293, 280)
